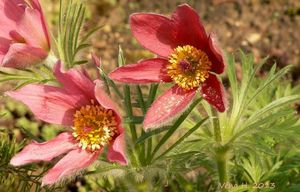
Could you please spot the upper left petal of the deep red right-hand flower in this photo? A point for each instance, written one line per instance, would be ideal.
(154, 32)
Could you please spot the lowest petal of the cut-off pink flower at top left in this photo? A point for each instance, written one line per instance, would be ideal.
(21, 55)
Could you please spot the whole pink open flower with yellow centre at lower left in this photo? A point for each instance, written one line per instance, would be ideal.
(81, 104)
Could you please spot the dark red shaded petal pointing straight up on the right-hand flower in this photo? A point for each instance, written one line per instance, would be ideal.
(189, 28)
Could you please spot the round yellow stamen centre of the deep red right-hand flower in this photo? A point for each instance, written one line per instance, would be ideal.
(188, 67)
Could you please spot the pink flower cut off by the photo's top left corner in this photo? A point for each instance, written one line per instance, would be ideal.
(24, 38)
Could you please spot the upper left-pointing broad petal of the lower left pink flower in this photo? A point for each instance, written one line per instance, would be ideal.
(48, 103)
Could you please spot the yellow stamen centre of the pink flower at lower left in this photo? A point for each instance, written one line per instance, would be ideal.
(94, 126)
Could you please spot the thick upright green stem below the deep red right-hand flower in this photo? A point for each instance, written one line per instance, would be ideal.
(220, 150)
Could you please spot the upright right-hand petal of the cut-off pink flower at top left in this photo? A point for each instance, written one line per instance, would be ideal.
(32, 28)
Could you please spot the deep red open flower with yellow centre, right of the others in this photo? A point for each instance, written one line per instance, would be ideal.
(187, 56)
